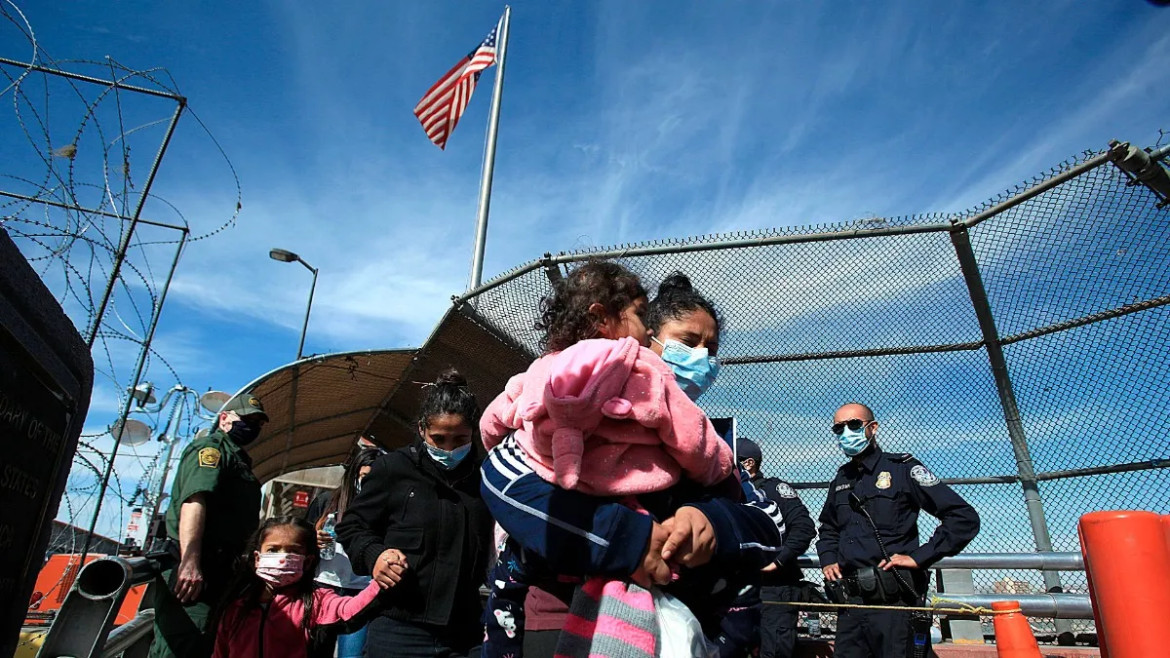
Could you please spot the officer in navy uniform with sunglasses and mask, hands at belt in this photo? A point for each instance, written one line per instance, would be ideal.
(870, 540)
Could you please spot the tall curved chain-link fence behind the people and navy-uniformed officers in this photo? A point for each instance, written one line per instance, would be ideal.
(1049, 300)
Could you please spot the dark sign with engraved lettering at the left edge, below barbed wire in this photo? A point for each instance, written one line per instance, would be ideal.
(46, 376)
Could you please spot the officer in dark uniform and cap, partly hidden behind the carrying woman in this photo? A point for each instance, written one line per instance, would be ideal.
(781, 580)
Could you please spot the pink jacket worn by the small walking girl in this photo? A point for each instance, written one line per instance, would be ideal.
(239, 634)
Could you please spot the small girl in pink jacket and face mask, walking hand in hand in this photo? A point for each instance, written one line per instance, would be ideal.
(276, 605)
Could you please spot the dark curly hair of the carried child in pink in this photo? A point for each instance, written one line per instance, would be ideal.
(565, 316)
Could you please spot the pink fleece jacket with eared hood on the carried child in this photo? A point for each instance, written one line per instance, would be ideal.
(608, 419)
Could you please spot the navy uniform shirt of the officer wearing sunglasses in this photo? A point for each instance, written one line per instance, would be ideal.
(894, 488)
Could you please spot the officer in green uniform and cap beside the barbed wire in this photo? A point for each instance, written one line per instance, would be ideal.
(215, 510)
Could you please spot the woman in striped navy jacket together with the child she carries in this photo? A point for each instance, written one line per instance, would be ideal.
(645, 484)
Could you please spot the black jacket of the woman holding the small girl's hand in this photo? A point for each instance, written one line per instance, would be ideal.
(438, 520)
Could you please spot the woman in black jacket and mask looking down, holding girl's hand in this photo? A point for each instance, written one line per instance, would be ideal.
(421, 529)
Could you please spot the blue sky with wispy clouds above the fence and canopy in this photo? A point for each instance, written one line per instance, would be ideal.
(622, 122)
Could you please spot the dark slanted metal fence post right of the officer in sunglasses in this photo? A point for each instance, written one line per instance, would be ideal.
(962, 242)
